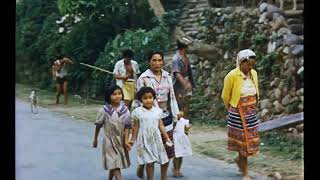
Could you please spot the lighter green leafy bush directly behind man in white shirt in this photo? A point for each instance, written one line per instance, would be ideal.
(139, 41)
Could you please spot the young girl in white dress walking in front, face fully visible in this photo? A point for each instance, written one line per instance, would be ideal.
(146, 132)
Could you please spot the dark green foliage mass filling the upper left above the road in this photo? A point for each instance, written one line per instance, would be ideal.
(38, 42)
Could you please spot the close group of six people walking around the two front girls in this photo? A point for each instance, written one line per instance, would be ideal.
(158, 126)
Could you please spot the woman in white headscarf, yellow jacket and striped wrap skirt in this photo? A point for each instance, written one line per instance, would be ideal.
(240, 94)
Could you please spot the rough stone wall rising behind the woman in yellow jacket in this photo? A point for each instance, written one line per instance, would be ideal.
(212, 58)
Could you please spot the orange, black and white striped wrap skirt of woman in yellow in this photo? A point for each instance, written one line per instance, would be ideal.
(243, 125)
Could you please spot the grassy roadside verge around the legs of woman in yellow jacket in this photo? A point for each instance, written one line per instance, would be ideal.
(278, 153)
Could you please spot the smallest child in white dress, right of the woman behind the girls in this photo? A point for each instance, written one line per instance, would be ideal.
(181, 143)
